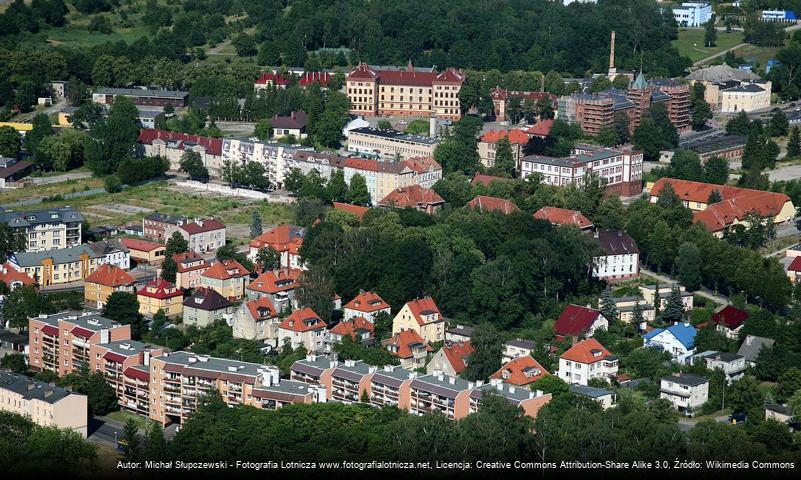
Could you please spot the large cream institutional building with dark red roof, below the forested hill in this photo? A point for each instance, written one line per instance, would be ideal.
(409, 92)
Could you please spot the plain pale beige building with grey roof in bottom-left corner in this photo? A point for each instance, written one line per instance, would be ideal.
(43, 404)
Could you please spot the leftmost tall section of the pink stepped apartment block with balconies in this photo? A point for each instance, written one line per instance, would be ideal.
(61, 343)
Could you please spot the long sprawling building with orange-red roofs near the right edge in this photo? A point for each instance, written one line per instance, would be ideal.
(735, 203)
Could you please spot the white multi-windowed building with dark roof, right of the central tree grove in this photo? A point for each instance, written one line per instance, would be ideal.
(620, 259)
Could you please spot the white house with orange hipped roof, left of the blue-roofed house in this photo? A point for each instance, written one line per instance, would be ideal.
(586, 360)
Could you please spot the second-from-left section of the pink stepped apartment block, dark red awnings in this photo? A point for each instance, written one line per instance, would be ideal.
(114, 359)
